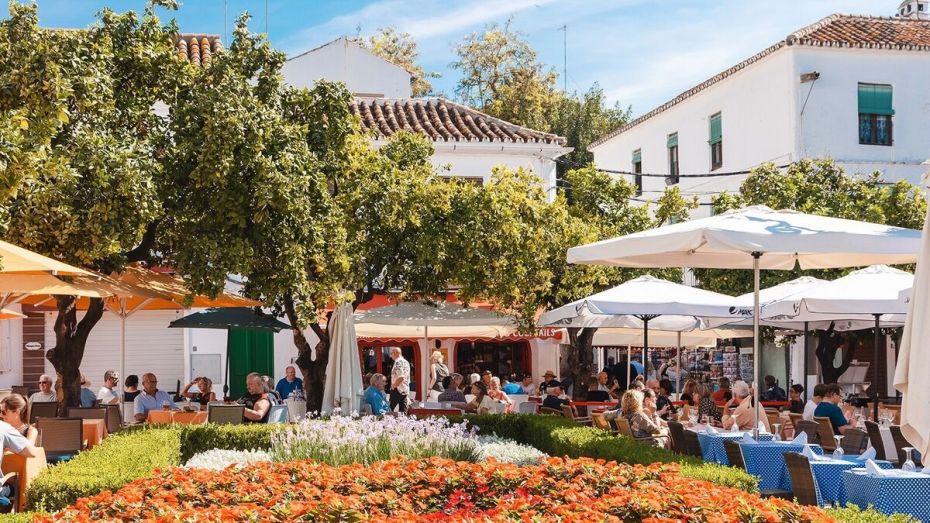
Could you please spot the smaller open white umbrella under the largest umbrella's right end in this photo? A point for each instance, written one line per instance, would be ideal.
(870, 295)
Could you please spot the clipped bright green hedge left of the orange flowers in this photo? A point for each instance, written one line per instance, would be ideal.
(119, 459)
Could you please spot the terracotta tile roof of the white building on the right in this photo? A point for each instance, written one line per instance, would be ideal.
(838, 31)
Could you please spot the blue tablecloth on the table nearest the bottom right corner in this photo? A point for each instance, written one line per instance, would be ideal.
(901, 492)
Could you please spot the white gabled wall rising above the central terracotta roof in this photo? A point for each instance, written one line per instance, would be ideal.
(344, 61)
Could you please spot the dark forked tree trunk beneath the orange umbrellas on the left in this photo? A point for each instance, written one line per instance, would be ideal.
(68, 352)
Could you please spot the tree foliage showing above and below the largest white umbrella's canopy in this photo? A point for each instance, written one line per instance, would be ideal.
(817, 187)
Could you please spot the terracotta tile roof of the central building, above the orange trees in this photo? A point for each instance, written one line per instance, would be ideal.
(442, 121)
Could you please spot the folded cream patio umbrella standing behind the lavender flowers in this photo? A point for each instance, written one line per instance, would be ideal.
(343, 370)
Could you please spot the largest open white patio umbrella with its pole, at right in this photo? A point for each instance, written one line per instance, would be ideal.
(756, 238)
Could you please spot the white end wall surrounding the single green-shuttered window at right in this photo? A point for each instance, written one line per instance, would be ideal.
(829, 126)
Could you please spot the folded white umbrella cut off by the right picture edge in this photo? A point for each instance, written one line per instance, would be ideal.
(911, 373)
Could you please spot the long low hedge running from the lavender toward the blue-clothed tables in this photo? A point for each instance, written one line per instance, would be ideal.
(562, 437)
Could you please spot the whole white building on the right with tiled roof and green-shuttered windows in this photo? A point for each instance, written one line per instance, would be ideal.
(851, 88)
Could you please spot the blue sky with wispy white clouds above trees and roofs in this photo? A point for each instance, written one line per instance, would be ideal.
(642, 52)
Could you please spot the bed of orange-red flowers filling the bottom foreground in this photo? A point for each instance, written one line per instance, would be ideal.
(434, 489)
